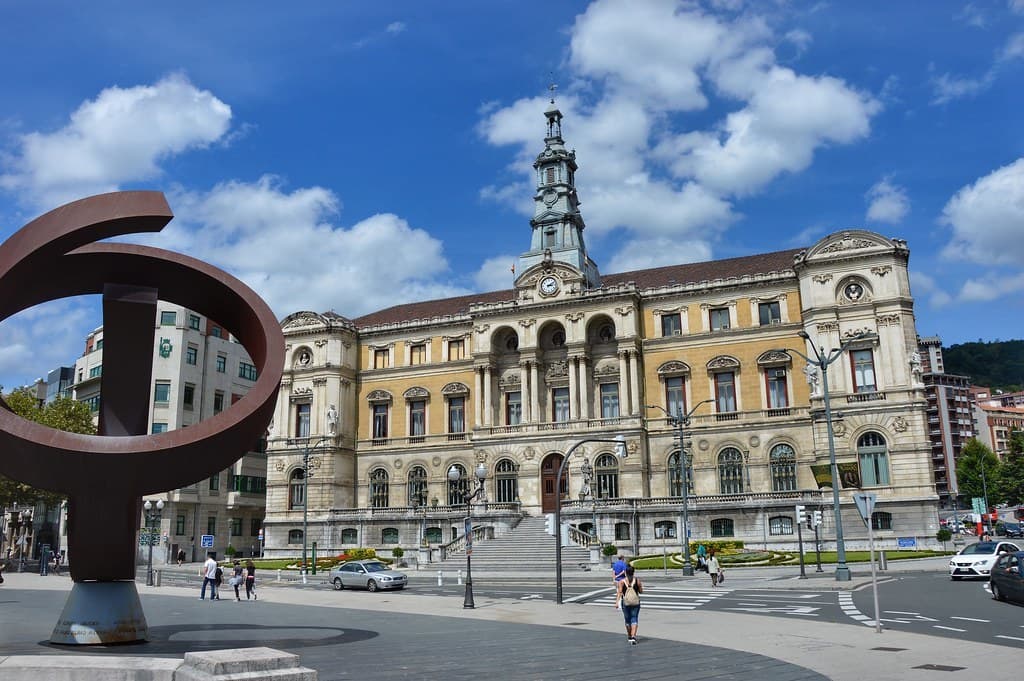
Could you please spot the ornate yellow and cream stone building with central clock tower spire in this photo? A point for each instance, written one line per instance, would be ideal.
(376, 413)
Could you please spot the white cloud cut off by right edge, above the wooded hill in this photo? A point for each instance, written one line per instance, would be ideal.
(987, 219)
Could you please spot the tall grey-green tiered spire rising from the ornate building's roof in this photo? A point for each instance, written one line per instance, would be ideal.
(558, 225)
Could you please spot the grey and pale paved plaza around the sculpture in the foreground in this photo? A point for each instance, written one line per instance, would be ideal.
(390, 636)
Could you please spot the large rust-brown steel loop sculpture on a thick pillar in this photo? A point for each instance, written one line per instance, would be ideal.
(106, 476)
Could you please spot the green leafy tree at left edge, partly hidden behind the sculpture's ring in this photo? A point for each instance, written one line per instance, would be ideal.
(63, 414)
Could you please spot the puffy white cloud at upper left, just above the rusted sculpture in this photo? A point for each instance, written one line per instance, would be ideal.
(120, 137)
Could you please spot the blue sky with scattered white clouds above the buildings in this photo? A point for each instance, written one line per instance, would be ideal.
(354, 156)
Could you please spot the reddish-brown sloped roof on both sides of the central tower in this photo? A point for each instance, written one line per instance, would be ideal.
(645, 279)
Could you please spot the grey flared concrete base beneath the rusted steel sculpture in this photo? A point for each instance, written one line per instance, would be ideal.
(99, 613)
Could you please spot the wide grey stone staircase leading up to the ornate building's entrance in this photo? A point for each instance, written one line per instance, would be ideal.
(528, 548)
